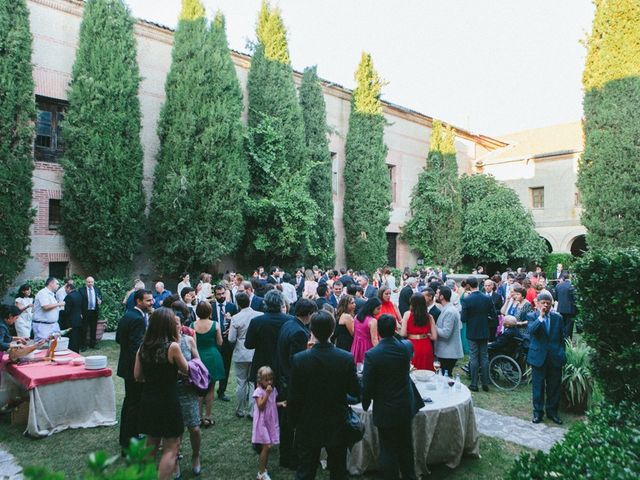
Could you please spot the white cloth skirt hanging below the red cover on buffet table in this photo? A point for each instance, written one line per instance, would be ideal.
(71, 404)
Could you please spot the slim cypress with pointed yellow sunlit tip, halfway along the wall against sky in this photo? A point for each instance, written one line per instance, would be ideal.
(367, 197)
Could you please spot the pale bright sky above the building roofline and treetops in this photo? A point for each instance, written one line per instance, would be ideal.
(490, 66)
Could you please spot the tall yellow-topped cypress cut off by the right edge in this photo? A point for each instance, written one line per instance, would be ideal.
(608, 176)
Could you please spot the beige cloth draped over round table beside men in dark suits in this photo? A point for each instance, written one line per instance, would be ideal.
(443, 431)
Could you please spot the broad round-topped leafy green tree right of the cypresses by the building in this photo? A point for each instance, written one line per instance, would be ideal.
(496, 227)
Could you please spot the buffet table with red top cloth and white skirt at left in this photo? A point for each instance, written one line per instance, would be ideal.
(61, 396)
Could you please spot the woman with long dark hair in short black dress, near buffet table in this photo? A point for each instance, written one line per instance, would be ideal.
(157, 364)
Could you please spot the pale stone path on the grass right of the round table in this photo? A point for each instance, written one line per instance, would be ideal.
(515, 430)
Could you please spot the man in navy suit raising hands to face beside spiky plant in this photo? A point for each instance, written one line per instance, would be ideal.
(546, 357)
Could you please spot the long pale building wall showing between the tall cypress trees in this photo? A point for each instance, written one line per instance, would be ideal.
(55, 27)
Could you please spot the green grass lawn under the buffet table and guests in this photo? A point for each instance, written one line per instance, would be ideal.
(226, 448)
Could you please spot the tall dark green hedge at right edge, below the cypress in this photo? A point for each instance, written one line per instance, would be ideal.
(610, 318)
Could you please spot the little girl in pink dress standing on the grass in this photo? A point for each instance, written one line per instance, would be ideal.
(266, 430)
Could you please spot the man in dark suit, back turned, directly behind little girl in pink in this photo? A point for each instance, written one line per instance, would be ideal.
(263, 333)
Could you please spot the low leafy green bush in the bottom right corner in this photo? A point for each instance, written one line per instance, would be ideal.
(605, 446)
